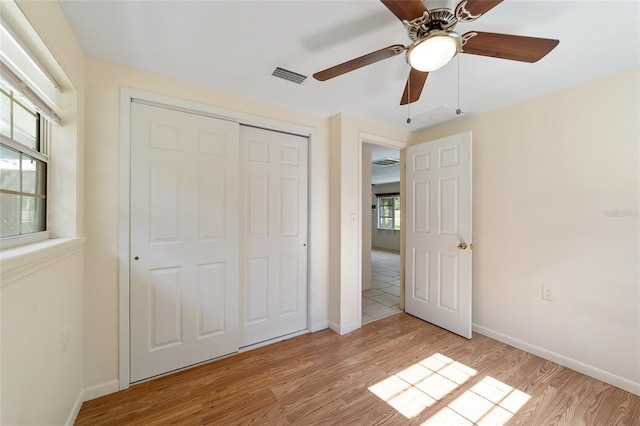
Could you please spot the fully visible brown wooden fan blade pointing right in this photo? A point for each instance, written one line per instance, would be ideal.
(508, 46)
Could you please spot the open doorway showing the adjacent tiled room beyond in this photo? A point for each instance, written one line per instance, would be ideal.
(381, 239)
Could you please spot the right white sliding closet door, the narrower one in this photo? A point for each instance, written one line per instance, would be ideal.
(274, 234)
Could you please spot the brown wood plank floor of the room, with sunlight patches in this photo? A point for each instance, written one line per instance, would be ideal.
(397, 371)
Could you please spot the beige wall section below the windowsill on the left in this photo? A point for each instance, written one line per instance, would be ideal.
(41, 380)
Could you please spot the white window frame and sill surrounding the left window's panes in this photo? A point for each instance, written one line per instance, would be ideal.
(34, 70)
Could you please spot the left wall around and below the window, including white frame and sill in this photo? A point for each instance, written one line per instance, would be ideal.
(42, 289)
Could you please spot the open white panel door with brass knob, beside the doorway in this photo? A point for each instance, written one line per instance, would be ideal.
(438, 233)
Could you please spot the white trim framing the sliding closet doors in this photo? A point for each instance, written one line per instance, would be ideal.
(126, 97)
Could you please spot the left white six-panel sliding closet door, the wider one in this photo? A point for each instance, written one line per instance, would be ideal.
(184, 240)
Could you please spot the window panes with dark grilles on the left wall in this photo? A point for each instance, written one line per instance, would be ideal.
(23, 166)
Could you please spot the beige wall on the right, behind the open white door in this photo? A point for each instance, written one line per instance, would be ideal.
(556, 185)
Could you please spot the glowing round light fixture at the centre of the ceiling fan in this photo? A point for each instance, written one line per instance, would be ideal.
(434, 50)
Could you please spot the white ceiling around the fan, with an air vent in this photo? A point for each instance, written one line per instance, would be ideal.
(234, 46)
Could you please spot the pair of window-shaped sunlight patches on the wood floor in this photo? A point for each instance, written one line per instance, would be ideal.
(412, 390)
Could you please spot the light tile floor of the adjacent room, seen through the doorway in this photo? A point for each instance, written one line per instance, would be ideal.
(383, 299)
